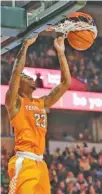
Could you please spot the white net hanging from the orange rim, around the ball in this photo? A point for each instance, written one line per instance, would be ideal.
(69, 26)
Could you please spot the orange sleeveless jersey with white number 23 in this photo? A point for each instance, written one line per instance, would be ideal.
(30, 126)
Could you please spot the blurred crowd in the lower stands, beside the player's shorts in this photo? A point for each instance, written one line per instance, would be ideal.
(76, 170)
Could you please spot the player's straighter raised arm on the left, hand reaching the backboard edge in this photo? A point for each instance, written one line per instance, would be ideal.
(19, 64)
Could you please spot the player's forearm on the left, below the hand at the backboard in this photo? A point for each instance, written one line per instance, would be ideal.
(20, 59)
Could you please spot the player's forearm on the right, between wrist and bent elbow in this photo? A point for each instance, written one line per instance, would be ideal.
(65, 72)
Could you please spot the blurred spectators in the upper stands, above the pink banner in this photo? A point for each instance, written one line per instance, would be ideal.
(85, 66)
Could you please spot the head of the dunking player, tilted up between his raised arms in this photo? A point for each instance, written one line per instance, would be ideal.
(27, 84)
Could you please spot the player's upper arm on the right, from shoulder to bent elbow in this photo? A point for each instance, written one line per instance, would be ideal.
(55, 94)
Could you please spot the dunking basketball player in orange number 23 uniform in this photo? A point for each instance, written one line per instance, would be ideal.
(27, 169)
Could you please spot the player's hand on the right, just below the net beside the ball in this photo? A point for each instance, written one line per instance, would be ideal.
(59, 44)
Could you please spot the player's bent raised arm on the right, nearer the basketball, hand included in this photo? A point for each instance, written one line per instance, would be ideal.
(57, 92)
